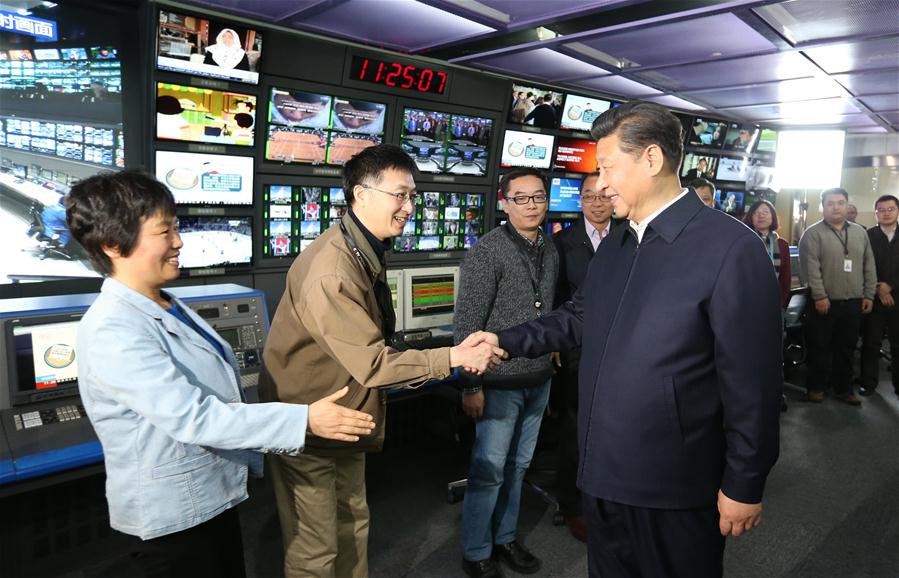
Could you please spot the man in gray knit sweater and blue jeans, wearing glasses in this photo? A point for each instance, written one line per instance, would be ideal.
(508, 278)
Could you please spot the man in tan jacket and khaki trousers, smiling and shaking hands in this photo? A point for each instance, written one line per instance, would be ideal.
(330, 331)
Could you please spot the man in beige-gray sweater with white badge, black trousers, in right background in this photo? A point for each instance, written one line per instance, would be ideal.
(837, 259)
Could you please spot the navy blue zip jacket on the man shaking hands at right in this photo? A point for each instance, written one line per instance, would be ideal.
(680, 375)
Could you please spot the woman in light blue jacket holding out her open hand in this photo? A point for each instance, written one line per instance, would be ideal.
(162, 391)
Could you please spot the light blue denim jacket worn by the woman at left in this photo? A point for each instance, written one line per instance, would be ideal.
(176, 440)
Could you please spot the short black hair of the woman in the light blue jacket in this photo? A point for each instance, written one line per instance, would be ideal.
(107, 210)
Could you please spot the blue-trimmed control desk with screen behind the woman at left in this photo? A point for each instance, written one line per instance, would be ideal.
(43, 426)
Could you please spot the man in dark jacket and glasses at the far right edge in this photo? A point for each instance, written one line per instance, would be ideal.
(884, 315)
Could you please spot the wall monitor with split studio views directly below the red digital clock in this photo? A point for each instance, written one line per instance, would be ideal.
(441, 142)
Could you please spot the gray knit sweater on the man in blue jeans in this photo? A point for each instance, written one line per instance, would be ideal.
(495, 293)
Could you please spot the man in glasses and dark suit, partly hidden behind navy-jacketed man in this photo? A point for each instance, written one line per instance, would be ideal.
(576, 246)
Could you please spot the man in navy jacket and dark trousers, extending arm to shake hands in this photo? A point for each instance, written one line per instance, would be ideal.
(680, 380)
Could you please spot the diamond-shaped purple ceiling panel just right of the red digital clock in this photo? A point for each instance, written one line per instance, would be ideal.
(541, 64)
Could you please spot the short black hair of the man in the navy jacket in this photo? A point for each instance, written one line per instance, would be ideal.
(639, 124)
